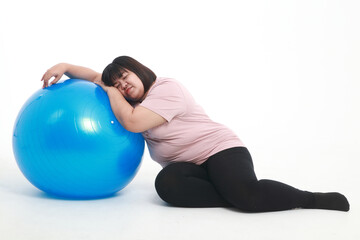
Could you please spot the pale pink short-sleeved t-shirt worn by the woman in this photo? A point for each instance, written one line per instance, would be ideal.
(189, 135)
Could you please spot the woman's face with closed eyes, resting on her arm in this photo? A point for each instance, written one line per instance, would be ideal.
(130, 86)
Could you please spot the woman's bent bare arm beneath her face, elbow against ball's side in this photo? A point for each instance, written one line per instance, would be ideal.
(138, 119)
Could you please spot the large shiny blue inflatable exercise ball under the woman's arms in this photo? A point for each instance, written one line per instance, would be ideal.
(68, 143)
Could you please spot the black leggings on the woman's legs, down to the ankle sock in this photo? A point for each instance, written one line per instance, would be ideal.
(227, 179)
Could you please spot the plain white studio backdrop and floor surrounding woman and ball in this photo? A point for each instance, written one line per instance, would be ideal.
(284, 75)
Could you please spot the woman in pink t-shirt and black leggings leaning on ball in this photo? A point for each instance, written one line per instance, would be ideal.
(204, 163)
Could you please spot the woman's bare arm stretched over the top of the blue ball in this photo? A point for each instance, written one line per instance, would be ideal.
(72, 71)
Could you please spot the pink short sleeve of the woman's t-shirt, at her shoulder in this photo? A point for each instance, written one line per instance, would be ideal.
(166, 99)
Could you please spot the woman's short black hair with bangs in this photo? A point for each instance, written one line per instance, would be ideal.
(121, 64)
